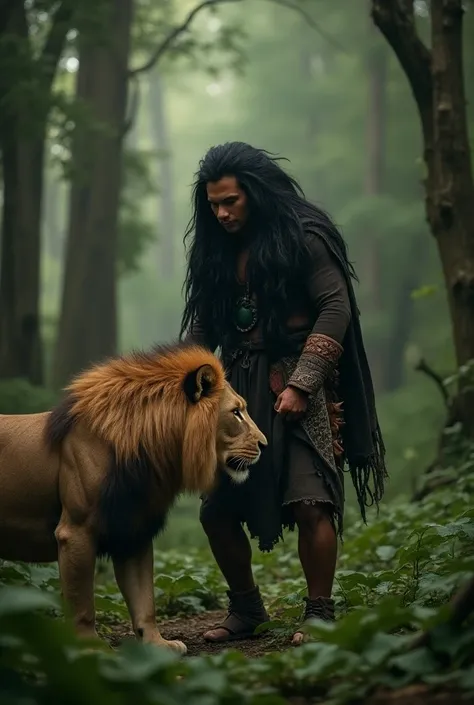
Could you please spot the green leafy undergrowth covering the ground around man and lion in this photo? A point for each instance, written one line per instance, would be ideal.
(395, 577)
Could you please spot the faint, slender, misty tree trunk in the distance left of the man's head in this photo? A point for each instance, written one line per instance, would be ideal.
(166, 244)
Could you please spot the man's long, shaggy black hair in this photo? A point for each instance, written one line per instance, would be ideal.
(278, 249)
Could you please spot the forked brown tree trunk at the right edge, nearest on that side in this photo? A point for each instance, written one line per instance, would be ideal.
(437, 81)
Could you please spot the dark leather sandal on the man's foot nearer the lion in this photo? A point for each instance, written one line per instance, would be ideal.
(246, 612)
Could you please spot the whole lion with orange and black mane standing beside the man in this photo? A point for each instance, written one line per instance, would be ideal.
(97, 475)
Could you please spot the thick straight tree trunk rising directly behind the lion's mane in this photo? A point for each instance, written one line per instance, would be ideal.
(88, 321)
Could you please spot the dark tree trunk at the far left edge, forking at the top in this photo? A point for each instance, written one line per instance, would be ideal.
(22, 140)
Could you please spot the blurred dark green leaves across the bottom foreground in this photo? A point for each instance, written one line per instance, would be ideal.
(42, 662)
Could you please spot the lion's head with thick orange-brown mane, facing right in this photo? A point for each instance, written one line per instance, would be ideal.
(173, 407)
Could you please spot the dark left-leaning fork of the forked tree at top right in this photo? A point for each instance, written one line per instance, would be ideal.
(396, 20)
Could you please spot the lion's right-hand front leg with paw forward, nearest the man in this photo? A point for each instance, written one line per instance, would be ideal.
(135, 579)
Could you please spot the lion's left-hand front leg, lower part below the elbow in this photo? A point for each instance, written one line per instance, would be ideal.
(77, 557)
